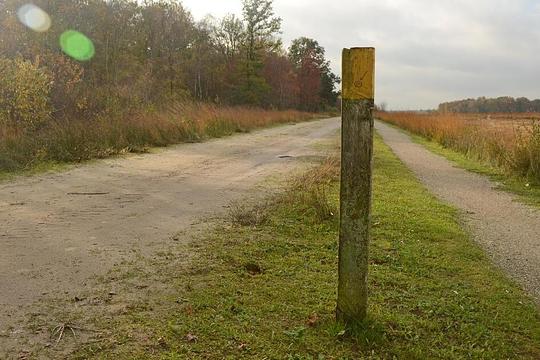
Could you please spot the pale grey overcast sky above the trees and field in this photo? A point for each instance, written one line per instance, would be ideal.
(428, 51)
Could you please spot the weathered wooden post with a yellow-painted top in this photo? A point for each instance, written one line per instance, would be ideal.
(356, 166)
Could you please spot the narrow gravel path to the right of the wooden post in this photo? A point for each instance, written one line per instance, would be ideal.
(507, 229)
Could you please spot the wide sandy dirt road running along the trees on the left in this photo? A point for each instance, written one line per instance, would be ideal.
(59, 230)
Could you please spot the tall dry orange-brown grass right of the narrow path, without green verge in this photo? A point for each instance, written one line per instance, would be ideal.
(509, 141)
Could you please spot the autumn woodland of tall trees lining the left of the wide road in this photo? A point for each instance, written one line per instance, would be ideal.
(151, 53)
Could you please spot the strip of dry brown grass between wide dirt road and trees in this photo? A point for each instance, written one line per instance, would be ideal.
(73, 140)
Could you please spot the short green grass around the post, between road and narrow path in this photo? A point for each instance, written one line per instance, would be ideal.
(269, 291)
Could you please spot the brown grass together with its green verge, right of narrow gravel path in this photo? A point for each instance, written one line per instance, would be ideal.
(505, 147)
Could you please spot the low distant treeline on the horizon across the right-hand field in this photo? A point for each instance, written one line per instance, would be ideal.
(505, 104)
